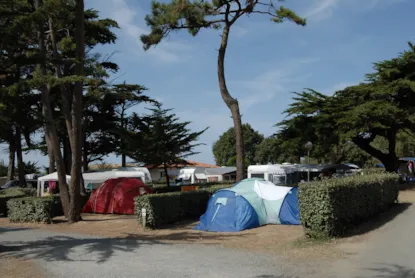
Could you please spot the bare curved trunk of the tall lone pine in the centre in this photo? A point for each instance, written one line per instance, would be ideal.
(232, 104)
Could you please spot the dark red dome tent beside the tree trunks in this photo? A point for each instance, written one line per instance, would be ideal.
(116, 196)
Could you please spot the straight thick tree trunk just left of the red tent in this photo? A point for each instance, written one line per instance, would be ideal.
(76, 174)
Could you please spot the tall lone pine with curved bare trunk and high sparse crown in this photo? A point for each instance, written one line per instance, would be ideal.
(218, 14)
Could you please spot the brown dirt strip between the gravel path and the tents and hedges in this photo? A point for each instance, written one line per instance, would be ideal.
(288, 241)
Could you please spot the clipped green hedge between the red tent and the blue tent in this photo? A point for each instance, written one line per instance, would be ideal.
(169, 208)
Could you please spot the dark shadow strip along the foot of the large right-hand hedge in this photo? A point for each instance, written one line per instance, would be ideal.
(379, 220)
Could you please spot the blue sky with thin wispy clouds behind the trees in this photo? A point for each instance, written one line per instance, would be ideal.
(265, 61)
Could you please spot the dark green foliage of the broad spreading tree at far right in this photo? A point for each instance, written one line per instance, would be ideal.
(373, 116)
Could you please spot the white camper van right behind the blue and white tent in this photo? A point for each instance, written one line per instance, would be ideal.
(275, 173)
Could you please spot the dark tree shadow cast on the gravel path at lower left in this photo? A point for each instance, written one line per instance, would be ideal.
(59, 248)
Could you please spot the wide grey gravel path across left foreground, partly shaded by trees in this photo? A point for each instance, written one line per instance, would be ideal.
(64, 255)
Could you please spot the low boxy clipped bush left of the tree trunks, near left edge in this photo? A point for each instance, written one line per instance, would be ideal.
(31, 209)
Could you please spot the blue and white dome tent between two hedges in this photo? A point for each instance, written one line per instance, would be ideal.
(249, 204)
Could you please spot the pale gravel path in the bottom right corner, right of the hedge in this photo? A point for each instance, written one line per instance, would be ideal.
(389, 253)
